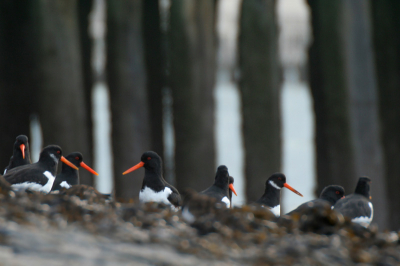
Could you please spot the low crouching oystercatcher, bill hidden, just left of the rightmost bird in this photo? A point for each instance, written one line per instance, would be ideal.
(329, 195)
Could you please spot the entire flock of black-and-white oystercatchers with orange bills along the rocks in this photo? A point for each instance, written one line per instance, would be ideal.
(42, 176)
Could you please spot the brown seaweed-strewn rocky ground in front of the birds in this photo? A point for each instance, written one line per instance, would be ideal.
(84, 229)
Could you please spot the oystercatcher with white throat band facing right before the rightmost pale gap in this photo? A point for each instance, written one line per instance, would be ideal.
(272, 195)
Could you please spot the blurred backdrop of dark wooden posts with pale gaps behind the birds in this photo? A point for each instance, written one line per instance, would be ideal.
(308, 88)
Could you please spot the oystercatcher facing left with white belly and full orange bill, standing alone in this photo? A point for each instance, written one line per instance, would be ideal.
(154, 186)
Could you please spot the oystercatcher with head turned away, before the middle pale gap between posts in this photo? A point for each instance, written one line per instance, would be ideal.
(221, 187)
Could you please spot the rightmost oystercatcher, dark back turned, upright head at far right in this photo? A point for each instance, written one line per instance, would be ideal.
(358, 206)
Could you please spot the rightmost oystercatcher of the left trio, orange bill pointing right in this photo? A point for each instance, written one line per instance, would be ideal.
(69, 176)
